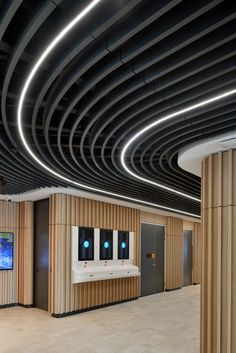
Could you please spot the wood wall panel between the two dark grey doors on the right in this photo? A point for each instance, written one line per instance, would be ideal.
(174, 253)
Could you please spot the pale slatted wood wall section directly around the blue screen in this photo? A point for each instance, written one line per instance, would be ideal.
(9, 221)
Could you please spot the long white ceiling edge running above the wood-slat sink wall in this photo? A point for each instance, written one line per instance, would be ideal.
(44, 193)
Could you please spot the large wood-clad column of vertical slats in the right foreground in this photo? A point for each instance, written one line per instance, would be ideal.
(218, 297)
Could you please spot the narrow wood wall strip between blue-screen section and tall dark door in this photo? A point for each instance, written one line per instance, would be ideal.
(25, 262)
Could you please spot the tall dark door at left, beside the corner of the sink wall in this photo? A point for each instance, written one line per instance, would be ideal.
(41, 253)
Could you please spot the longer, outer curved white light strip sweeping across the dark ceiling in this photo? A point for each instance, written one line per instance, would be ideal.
(23, 94)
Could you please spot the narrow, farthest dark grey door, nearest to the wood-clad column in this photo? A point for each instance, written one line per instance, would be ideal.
(187, 258)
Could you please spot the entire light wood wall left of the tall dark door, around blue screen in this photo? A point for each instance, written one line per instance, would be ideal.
(16, 286)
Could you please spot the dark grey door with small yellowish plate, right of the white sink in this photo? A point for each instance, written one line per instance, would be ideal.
(152, 259)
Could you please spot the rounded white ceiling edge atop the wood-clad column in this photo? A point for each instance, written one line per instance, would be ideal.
(191, 156)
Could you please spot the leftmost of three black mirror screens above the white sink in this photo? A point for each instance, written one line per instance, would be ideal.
(86, 244)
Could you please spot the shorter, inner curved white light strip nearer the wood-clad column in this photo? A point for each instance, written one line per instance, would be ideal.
(158, 122)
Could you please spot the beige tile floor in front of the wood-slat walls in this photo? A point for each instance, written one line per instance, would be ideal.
(162, 323)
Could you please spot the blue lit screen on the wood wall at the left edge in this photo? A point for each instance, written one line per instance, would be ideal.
(6, 251)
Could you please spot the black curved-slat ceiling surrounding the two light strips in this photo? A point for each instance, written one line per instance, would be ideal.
(125, 64)
